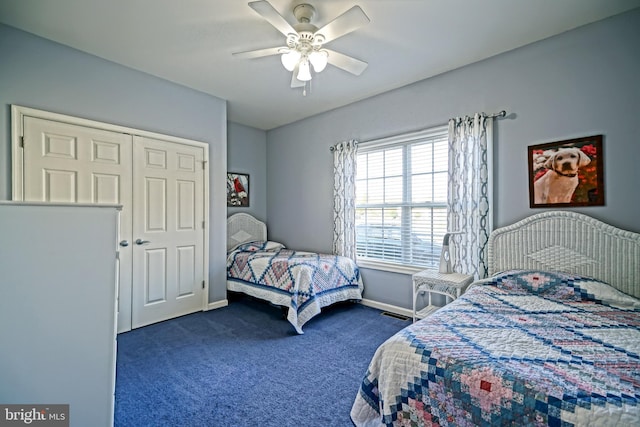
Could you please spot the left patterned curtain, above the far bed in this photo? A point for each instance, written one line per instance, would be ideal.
(344, 198)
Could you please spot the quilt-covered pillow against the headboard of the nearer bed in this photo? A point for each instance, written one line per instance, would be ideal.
(564, 286)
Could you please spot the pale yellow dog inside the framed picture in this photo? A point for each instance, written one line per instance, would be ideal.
(561, 179)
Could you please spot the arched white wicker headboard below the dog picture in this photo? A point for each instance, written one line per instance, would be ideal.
(569, 242)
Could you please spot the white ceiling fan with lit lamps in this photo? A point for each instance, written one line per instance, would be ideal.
(305, 42)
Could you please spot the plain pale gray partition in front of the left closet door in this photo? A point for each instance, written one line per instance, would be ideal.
(58, 339)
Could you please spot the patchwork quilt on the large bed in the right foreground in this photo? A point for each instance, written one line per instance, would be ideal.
(523, 348)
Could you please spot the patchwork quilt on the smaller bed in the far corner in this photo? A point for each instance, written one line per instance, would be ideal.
(303, 281)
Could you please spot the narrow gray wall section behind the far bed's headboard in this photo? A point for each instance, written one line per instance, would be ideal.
(247, 153)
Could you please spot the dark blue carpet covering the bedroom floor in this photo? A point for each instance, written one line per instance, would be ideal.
(243, 365)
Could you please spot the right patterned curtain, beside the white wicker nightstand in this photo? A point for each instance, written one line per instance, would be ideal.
(470, 192)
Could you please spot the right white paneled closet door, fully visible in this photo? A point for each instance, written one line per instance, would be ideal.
(168, 230)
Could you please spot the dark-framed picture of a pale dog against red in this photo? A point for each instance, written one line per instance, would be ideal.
(566, 173)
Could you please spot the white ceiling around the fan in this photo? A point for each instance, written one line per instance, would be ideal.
(190, 42)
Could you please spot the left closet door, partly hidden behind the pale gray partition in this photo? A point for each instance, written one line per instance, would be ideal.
(78, 164)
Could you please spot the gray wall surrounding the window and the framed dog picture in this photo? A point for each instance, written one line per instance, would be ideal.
(580, 83)
